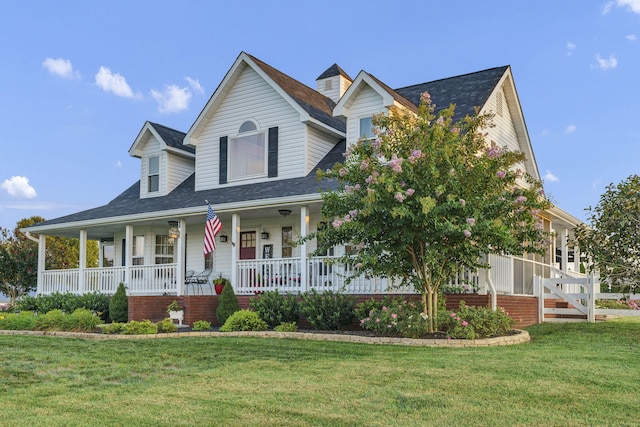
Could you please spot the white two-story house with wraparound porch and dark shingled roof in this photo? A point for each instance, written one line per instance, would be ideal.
(252, 154)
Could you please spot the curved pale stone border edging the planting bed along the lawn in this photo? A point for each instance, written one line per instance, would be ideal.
(520, 337)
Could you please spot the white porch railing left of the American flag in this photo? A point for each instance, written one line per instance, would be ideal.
(142, 280)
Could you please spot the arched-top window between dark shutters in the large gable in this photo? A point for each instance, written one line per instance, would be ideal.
(248, 152)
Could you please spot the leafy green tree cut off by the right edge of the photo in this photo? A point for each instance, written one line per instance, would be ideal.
(612, 241)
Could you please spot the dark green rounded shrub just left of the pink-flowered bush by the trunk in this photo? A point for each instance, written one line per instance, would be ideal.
(328, 311)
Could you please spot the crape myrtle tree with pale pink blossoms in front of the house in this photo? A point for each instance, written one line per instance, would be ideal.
(427, 197)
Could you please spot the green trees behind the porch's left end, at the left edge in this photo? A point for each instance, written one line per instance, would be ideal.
(19, 257)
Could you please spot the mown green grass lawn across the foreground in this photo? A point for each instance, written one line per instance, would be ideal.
(569, 375)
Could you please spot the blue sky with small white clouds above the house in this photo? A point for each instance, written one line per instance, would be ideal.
(79, 79)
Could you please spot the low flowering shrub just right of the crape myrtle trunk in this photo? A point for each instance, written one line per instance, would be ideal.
(475, 322)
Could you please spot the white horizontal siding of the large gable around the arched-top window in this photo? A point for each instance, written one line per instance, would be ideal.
(251, 98)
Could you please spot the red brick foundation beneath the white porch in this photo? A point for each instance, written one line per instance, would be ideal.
(523, 309)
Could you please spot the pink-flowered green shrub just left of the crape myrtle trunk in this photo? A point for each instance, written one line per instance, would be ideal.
(393, 316)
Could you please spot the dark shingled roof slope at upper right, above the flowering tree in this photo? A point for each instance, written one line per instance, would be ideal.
(467, 91)
